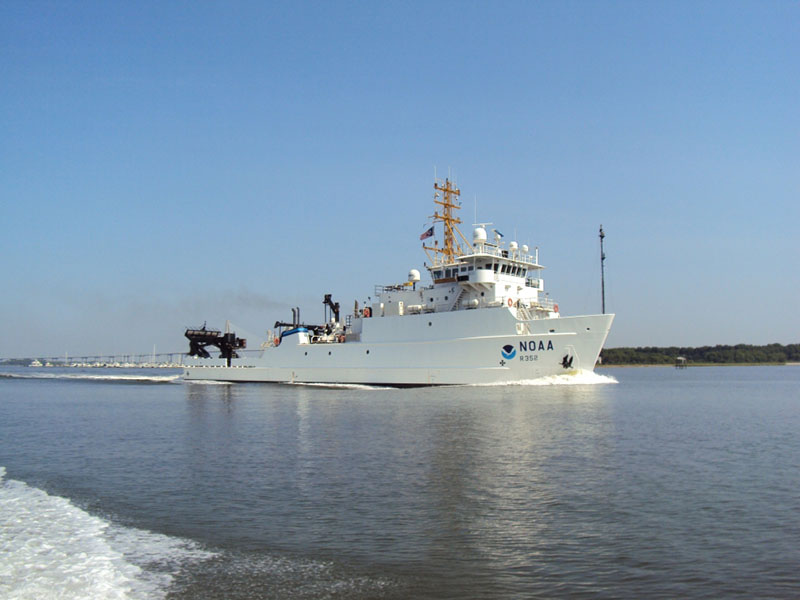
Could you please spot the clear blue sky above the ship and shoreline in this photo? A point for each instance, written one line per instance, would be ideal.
(164, 164)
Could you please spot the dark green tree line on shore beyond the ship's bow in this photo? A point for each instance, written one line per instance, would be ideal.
(740, 353)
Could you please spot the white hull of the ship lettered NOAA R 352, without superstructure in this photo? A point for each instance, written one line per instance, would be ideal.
(441, 348)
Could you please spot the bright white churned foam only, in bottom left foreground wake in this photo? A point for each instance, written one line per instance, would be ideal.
(52, 549)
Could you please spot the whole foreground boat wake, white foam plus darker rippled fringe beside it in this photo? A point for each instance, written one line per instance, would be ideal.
(52, 549)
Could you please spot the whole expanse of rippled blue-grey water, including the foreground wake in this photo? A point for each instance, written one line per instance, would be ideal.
(656, 483)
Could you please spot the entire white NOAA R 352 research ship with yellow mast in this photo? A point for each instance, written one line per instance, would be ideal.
(484, 319)
